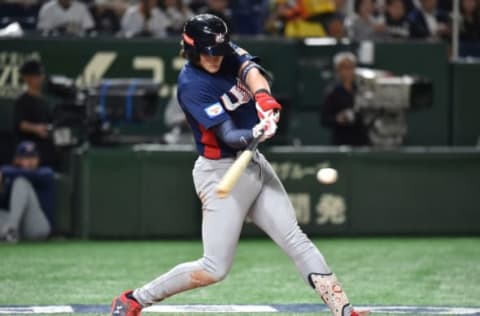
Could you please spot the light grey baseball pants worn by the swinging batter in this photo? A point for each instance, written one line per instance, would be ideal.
(259, 195)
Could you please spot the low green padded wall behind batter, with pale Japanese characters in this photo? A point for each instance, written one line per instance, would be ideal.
(123, 193)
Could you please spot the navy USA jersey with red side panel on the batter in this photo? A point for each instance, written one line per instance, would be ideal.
(210, 99)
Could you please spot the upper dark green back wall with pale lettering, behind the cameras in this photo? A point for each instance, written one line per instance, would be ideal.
(301, 73)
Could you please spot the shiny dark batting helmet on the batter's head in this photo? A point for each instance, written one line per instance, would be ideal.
(205, 34)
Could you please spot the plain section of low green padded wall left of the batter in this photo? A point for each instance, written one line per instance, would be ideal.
(123, 193)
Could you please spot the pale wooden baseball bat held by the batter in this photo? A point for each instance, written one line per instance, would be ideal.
(233, 173)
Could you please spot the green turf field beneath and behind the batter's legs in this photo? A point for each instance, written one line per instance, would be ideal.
(409, 271)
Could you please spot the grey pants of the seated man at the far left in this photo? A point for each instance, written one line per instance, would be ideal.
(25, 215)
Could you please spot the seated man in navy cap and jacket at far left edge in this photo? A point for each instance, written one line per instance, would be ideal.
(26, 197)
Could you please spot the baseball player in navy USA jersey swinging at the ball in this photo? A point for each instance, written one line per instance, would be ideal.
(225, 95)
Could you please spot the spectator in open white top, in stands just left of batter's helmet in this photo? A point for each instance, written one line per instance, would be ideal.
(145, 19)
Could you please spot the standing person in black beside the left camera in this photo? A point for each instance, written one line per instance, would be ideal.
(32, 113)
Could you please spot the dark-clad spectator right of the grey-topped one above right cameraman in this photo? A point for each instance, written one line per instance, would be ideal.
(395, 19)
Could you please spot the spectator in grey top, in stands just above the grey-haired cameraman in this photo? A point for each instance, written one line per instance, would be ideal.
(363, 25)
